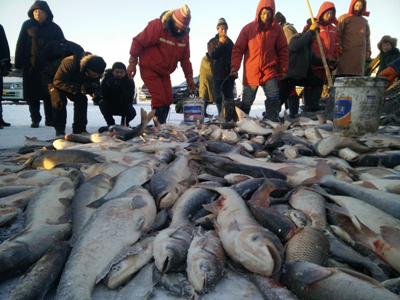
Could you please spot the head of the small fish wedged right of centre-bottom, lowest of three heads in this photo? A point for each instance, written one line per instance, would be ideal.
(203, 272)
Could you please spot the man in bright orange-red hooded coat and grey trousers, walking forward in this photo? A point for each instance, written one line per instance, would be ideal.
(266, 57)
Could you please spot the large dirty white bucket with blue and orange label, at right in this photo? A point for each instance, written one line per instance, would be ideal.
(358, 102)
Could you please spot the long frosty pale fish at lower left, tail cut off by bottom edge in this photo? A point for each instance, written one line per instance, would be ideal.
(115, 226)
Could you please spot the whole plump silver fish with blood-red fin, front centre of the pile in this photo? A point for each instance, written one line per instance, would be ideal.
(244, 240)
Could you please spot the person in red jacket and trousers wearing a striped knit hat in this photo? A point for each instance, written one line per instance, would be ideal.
(158, 49)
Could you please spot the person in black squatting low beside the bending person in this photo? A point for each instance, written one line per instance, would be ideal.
(118, 92)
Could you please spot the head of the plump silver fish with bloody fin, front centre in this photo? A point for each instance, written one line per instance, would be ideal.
(260, 251)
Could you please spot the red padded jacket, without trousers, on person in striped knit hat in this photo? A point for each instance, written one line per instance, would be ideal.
(159, 51)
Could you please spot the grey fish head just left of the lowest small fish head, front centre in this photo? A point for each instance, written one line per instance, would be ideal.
(170, 250)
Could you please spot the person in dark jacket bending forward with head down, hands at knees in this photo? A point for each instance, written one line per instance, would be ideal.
(74, 79)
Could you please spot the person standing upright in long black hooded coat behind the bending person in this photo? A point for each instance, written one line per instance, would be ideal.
(34, 35)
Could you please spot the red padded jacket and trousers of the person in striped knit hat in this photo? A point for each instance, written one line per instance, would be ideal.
(159, 52)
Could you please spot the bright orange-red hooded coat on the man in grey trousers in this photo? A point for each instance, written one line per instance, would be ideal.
(265, 50)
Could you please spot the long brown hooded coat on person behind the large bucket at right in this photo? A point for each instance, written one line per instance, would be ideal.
(354, 37)
